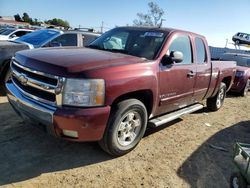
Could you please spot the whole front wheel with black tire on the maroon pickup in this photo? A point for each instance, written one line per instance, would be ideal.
(126, 127)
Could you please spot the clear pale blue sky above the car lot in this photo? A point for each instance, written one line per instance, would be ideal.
(217, 20)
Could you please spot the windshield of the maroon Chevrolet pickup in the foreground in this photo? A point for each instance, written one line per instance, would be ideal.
(137, 42)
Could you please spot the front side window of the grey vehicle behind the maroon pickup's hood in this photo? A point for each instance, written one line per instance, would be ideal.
(65, 40)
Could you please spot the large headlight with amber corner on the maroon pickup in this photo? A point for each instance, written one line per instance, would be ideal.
(84, 92)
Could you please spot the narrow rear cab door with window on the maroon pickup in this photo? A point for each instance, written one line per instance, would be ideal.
(203, 70)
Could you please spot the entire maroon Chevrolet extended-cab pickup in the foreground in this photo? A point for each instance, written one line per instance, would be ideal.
(110, 91)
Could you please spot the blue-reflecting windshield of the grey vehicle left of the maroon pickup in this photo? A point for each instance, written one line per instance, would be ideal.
(38, 38)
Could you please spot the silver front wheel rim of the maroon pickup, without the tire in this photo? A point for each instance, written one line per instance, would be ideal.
(129, 128)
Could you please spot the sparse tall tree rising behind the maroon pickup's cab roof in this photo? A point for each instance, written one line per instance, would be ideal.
(152, 18)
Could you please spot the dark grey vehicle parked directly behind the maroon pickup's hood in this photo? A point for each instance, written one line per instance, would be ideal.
(39, 39)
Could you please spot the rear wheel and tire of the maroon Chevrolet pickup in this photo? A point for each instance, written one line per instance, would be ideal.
(216, 102)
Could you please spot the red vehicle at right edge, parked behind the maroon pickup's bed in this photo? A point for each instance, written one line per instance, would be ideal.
(242, 78)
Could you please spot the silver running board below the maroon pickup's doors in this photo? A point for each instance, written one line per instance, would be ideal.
(174, 115)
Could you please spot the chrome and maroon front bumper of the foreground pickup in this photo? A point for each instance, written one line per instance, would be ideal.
(89, 123)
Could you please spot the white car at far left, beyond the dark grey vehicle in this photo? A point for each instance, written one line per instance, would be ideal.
(13, 34)
